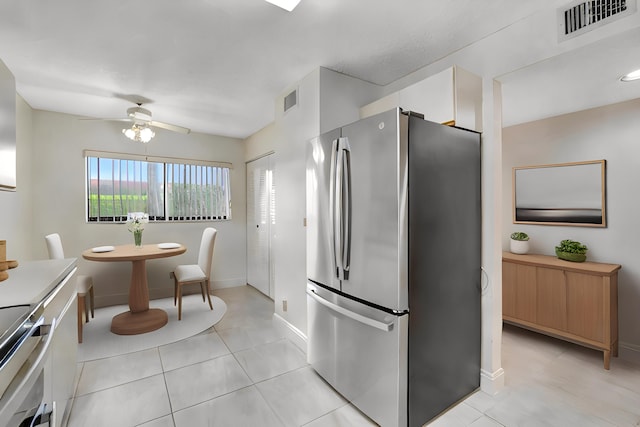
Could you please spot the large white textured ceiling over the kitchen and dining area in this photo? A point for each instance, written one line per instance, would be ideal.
(216, 66)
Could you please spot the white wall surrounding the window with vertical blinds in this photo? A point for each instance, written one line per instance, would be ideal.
(57, 192)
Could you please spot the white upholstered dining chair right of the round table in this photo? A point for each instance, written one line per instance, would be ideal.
(199, 273)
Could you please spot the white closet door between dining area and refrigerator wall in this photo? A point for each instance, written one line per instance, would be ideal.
(260, 224)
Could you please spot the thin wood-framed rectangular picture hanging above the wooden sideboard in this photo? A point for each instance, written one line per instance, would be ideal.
(561, 194)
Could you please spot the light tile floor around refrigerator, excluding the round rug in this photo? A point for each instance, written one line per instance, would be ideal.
(242, 372)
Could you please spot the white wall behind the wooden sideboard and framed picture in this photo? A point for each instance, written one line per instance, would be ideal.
(609, 133)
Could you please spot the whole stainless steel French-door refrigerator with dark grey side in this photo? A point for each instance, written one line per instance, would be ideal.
(393, 265)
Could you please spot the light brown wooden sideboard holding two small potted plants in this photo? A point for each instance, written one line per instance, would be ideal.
(574, 301)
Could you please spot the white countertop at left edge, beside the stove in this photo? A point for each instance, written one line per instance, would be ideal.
(31, 281)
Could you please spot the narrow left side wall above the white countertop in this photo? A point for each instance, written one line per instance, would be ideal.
(16, 215)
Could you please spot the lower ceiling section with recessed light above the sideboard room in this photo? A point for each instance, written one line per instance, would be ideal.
(586, 77)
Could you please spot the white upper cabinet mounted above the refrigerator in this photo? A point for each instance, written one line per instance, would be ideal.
(452, 97)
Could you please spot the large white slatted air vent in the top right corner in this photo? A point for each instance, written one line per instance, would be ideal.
(583, 16)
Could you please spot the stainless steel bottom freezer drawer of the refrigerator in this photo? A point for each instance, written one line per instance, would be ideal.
(361, 352)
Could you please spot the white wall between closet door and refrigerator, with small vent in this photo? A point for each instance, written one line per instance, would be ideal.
(326, 100)
